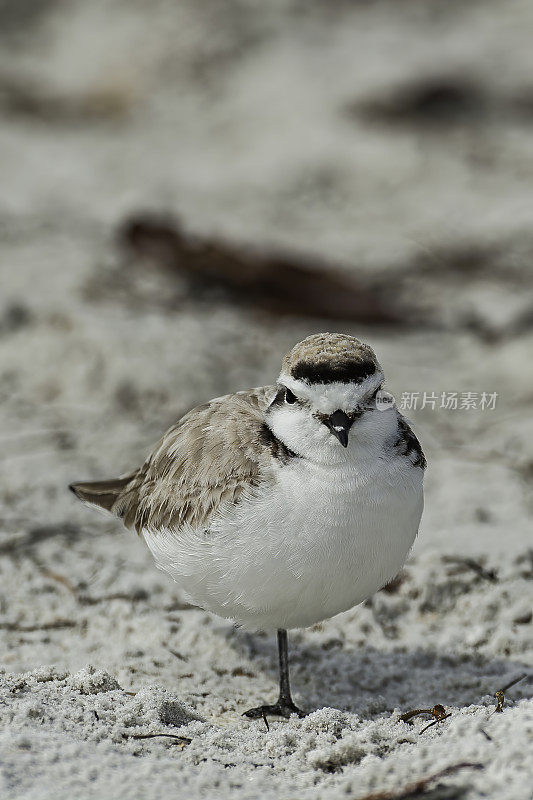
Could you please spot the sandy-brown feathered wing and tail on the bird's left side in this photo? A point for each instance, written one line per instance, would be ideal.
(214, 454)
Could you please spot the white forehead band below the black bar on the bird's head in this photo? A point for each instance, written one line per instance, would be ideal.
(330, 397)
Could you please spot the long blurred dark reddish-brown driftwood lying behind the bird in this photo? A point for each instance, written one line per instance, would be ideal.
(276, 282)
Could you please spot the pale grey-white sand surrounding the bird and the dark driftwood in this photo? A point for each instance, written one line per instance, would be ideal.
(283, 124)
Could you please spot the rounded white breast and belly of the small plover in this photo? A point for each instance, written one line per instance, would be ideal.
(320, 541)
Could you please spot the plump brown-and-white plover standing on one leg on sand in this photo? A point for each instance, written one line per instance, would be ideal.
(281, 506)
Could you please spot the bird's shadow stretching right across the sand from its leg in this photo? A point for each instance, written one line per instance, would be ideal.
(368, 681)
